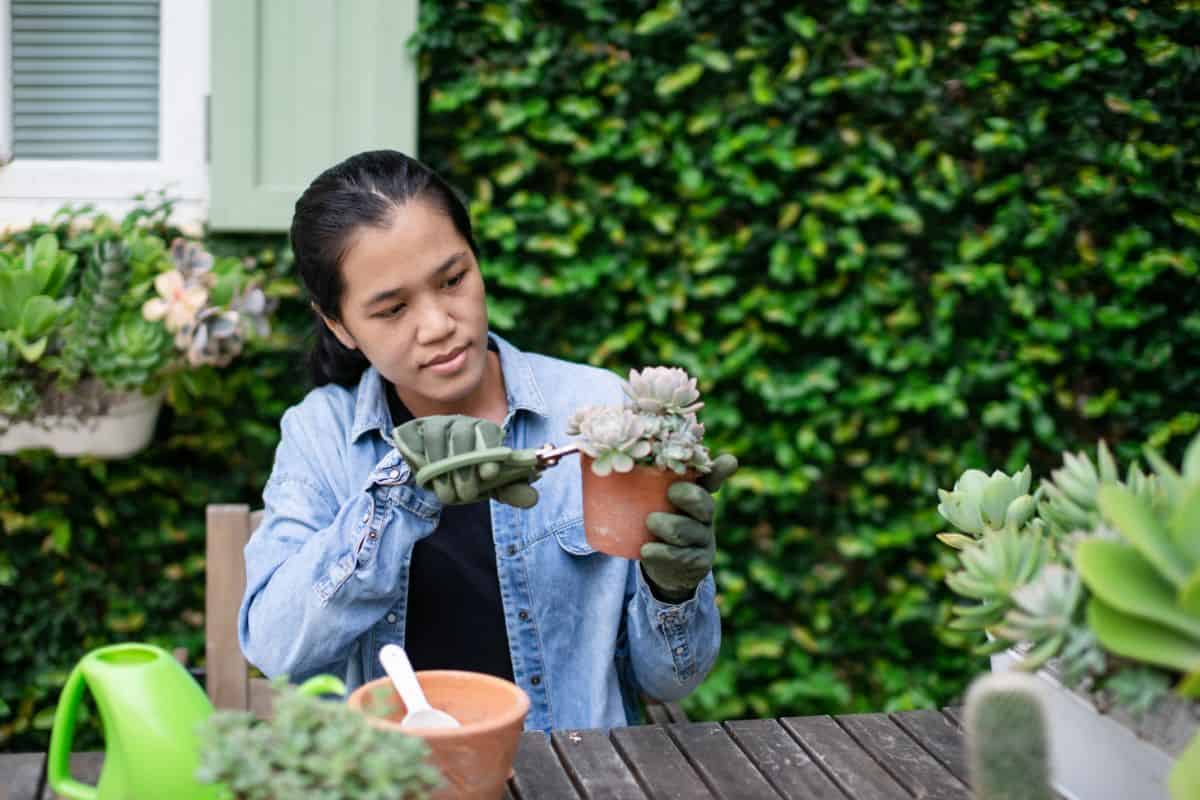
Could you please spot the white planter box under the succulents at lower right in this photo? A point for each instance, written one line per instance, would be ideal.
(1109, 756)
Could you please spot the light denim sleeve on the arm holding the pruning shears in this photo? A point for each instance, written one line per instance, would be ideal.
(321, 573)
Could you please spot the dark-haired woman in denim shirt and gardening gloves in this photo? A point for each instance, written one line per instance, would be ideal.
(352, 555)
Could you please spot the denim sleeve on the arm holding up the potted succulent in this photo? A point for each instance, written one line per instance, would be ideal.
(671, 646)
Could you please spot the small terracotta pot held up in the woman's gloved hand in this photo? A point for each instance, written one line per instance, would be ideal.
(615, 507)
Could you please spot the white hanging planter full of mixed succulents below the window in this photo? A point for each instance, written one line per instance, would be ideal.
(98, 318)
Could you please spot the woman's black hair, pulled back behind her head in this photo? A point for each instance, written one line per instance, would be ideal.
(364, 190)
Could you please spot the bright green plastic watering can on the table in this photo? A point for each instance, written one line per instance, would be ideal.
(151, 709)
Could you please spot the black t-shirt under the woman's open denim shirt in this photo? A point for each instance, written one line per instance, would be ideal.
(455, 615)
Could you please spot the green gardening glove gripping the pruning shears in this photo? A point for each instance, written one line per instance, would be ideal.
(464, 460)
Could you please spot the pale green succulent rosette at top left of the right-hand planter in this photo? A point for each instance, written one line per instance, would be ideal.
(981, 503)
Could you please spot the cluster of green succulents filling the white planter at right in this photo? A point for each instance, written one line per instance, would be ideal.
(1105, 579)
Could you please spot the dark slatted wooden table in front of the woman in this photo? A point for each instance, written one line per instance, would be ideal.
(856, 757)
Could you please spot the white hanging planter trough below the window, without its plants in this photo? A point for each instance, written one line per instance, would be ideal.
(124, 430)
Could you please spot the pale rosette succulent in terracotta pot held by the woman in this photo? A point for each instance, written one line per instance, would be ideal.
(632, 454)
